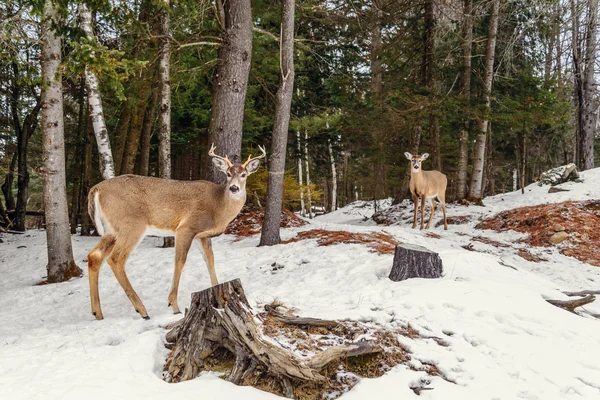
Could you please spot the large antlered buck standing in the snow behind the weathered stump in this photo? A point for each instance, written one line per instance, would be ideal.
(129, 207)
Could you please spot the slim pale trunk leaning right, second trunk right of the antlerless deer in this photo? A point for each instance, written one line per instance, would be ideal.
(475, 191)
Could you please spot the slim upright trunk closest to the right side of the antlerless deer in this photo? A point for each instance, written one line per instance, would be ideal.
(467, 45)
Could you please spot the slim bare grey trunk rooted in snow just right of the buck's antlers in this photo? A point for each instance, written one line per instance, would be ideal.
(270, 230)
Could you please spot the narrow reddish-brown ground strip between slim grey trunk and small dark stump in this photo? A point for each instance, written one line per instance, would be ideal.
(378, 242)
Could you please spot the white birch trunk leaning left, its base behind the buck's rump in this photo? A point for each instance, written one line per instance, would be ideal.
(95, 102)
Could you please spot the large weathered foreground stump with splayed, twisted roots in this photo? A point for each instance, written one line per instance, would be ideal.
(221, 325)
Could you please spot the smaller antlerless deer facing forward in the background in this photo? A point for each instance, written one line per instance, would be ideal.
(426, 185)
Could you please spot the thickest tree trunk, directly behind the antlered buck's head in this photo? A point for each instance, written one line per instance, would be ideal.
(230, 84)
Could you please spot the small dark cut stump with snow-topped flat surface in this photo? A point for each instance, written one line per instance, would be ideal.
(413, 261)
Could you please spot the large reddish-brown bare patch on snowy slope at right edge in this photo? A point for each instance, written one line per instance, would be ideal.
(580, 219)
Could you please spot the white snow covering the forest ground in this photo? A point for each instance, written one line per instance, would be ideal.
(501, 339)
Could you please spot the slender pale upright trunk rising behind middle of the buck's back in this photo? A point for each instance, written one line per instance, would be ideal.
(164, 135)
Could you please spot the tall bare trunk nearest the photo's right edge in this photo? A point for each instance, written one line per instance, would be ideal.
(590, 104)
